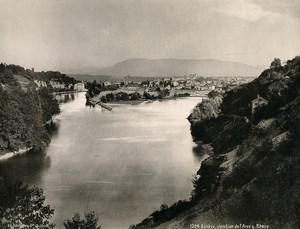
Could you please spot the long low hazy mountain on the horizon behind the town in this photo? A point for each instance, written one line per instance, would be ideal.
(177, 67)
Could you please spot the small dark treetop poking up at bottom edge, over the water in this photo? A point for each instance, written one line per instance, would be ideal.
(90, 222)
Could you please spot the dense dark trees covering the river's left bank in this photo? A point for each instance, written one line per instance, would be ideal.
(23, 113)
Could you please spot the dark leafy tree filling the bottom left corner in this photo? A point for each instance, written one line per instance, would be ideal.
(22, 206)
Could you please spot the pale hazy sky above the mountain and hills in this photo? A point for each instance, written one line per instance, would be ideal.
(70, 35)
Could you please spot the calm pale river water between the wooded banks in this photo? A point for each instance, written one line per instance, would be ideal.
(122, 164)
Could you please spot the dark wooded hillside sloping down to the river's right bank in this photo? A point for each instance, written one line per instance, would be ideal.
(251, 174)
